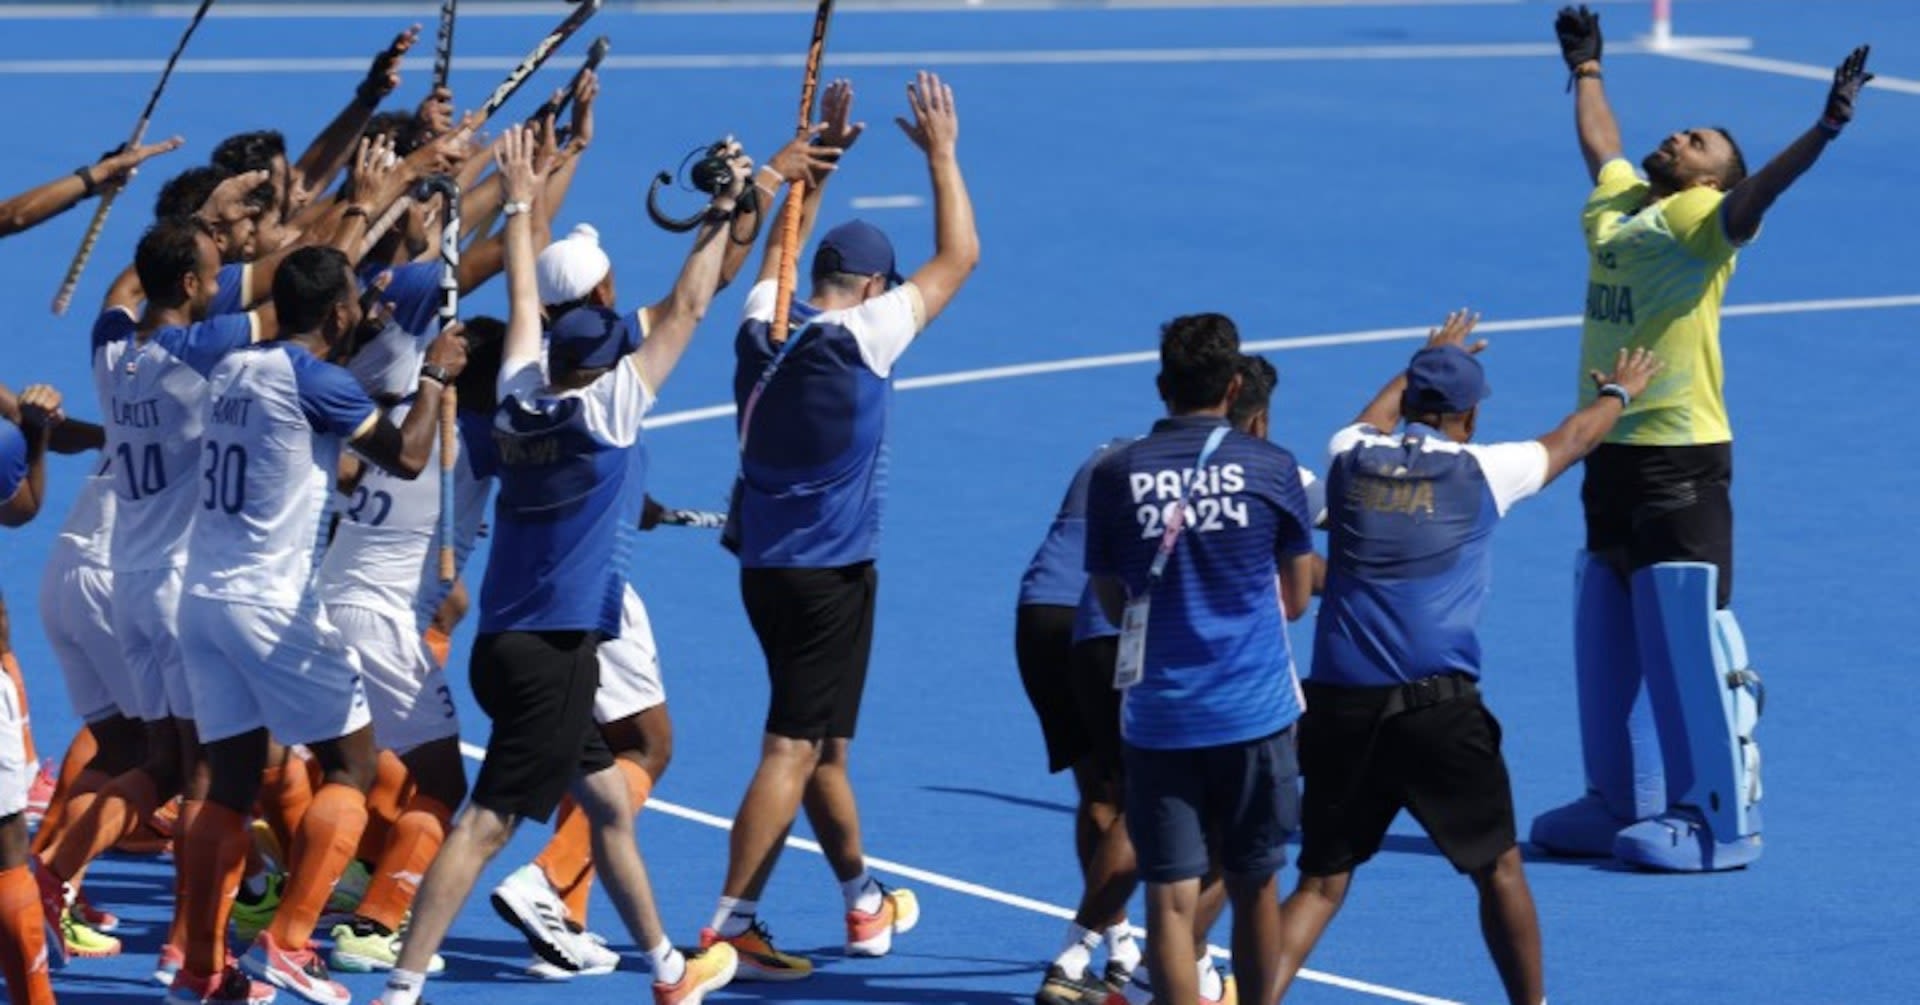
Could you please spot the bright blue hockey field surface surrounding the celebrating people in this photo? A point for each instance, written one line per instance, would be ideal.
(1345, 172)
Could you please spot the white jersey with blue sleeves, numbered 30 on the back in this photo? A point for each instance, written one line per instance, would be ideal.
(276, 422)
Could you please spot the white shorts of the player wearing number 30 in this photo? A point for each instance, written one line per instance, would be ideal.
(285, 670)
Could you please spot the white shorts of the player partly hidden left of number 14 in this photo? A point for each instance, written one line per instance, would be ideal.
(78, 618)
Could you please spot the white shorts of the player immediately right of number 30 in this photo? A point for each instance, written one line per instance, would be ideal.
(408, 695)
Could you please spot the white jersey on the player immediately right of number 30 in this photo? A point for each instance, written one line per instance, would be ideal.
(389, 533)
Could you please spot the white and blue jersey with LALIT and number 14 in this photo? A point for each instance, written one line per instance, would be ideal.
(153, 395)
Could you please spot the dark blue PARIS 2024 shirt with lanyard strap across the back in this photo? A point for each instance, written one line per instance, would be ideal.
(1218, 666)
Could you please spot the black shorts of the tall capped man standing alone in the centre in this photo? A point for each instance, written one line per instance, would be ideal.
(817, 631)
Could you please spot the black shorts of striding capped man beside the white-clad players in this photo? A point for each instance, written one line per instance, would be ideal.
(539, 691)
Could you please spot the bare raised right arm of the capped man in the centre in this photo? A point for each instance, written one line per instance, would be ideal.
(936, 132)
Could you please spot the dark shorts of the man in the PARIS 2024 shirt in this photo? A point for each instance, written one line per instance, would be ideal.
(1234, 804)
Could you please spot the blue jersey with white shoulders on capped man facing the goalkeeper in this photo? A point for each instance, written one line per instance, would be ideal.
(1410, 522)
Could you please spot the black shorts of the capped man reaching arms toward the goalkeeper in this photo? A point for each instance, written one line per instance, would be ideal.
(1441, 764)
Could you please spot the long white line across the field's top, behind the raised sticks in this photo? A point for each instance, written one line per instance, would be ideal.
(786, 61)
